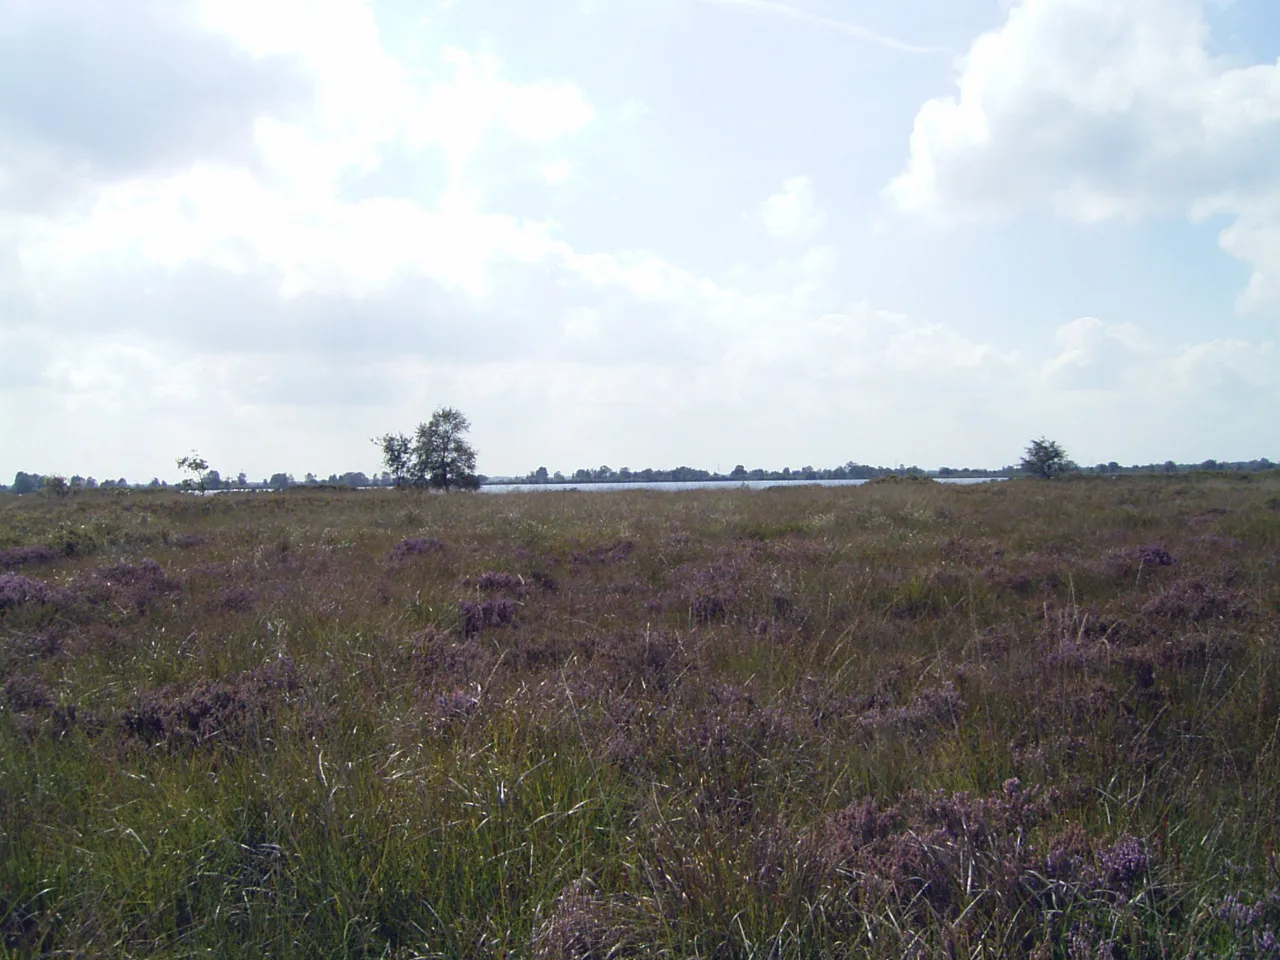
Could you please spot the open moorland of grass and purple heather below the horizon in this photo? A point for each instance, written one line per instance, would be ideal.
(902, 720)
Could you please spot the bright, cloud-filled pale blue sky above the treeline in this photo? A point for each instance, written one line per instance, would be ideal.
(637, 232)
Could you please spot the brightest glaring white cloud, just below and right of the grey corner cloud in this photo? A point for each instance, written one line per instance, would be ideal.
(292, 221)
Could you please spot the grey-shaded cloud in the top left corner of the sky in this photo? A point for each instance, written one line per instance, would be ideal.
(83, 103)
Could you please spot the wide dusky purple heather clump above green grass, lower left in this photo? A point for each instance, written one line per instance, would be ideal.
(232, 715)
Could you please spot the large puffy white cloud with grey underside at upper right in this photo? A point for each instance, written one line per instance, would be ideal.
(1099, 111)
